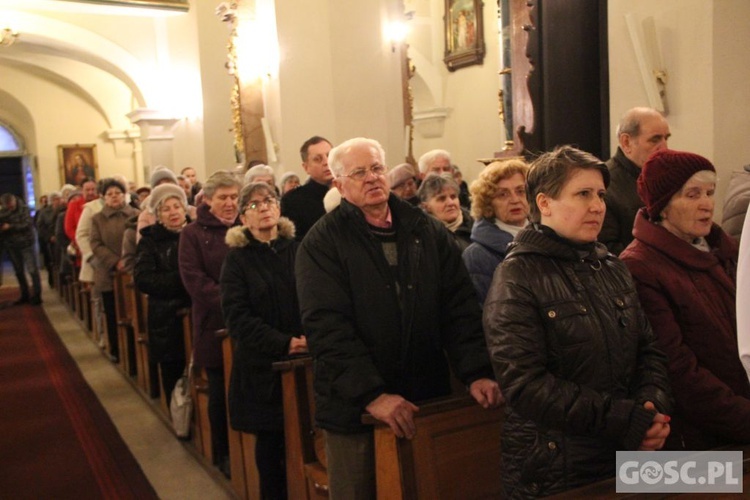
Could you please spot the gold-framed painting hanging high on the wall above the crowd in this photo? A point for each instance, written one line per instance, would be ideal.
(464, 34)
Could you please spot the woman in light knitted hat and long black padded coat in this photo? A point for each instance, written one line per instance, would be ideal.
(157, 274)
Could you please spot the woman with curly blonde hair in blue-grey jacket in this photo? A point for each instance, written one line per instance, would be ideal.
(500, 208)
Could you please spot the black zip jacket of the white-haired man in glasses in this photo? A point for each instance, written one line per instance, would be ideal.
(367, 338)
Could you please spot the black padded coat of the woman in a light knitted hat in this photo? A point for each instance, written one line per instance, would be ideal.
(157, 274)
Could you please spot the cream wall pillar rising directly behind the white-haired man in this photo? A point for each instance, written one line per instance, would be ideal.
(338, 78)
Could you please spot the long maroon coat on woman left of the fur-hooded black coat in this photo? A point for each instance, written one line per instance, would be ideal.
(201, 254)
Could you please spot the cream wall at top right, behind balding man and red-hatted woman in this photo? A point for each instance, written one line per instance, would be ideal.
(704, 47)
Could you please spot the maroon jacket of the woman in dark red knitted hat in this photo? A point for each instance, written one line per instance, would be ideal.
(689, 298)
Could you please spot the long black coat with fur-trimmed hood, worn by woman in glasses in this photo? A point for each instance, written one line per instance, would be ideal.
(261, 310)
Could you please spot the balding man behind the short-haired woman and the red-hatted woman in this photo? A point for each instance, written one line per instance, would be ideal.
(641, 132)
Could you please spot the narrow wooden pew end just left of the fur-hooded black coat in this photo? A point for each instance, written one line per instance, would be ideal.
(245, 480)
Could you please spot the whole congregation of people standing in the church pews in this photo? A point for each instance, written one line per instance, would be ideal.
(597, 301)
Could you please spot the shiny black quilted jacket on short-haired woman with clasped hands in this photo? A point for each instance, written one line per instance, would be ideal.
(575, 358)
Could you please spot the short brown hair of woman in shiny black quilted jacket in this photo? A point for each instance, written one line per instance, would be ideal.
(550, 171)
